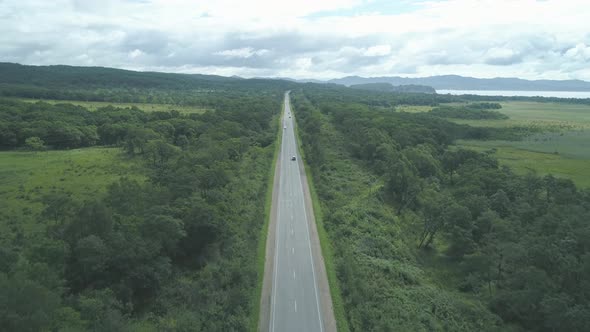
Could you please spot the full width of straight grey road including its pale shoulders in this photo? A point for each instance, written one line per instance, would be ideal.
(295, 296)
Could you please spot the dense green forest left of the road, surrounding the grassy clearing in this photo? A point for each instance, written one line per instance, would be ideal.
(175, 252)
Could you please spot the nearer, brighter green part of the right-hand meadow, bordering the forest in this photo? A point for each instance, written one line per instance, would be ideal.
(540, 157)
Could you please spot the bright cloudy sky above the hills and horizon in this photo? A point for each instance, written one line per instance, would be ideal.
(305, 38)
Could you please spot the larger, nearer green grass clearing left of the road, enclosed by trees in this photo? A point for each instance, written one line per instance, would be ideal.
(84, 173)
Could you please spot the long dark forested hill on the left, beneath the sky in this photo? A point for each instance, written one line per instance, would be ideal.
(118, 85)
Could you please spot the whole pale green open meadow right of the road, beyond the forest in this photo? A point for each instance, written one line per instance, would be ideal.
(562, 148)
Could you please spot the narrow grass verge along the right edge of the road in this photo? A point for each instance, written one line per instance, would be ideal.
(325, 244)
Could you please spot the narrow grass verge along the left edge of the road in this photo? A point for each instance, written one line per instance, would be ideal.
(261, 251)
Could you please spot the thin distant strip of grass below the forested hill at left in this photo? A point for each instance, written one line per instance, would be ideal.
(94, 105)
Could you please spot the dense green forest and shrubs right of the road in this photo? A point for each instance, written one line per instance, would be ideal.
(430, 237)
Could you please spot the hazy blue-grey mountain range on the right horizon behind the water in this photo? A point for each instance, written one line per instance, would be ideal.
(455, 82)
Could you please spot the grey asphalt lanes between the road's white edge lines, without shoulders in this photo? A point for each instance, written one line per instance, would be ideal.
(295, 303)
